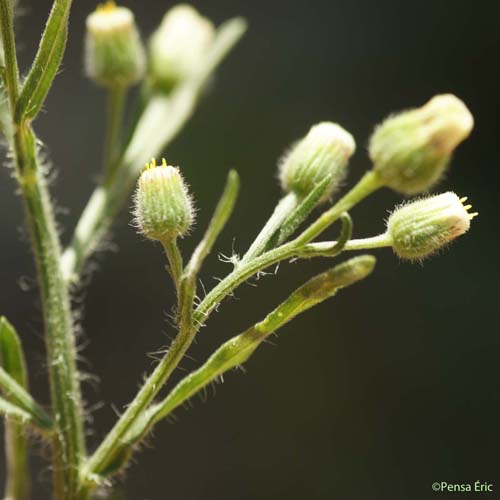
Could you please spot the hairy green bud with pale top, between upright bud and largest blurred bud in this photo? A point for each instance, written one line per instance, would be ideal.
(324, 151)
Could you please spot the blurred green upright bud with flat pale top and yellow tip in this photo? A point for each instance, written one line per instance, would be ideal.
(114, 54)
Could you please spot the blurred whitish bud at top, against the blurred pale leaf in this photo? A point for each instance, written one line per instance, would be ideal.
(179, 45)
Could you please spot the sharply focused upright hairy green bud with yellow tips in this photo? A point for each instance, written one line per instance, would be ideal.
(163, 207)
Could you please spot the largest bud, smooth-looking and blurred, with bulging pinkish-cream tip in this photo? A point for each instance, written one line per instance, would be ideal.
(412, 149)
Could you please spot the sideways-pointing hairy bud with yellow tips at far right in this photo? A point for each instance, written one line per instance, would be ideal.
(422, 227)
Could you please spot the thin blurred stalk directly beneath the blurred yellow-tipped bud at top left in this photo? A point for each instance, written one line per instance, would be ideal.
(116, 102)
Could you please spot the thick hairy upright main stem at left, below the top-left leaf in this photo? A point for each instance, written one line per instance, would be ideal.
(68, 443)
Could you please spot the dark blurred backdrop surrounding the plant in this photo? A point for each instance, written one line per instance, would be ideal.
(375, 395)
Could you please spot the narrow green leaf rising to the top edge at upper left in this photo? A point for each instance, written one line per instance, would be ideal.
(47, 62)
